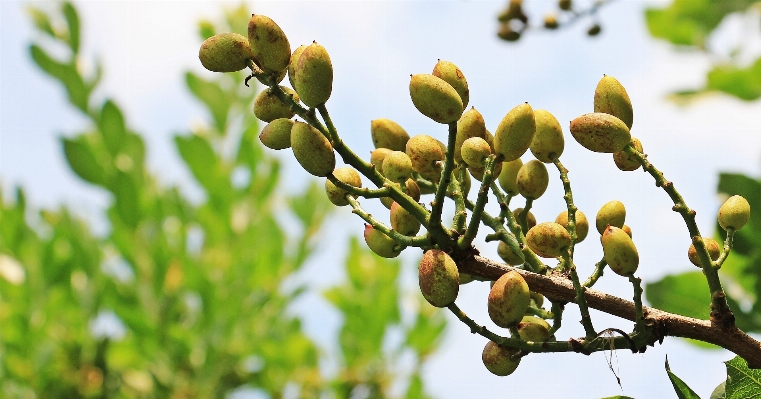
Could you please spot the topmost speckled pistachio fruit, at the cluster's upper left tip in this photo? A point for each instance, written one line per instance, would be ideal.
(268, 44)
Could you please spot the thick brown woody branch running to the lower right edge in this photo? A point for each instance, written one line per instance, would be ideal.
(560, 288)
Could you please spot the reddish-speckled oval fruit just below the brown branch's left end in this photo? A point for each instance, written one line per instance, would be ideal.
(439, 278)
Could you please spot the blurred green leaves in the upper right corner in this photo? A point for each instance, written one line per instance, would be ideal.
(694, 24)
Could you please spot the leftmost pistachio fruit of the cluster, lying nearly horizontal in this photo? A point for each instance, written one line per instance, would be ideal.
(225, 52)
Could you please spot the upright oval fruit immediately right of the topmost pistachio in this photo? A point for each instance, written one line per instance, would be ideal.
(313, 75)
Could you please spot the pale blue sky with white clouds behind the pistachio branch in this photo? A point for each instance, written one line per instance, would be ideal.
(374, 47)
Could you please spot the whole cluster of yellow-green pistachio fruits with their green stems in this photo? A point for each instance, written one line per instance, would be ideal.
(403, 168)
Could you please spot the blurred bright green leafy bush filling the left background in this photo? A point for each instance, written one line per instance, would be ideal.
(181, 299)
